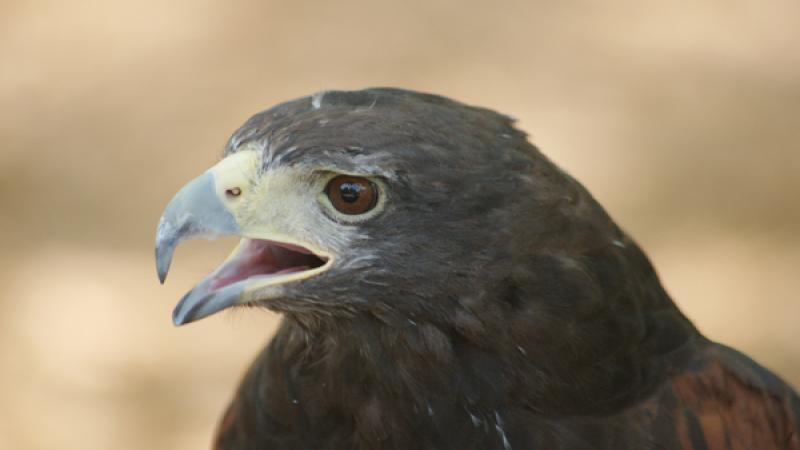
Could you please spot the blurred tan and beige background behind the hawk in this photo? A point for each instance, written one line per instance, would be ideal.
(683, 118)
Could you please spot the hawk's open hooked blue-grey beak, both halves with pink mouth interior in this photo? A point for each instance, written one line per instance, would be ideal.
(198, 212)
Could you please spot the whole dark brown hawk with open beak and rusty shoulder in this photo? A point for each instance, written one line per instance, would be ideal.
(489, 303)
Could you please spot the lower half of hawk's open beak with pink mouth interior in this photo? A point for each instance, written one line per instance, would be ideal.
(255, 265)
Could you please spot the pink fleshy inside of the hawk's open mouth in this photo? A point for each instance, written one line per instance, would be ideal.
(263, 259)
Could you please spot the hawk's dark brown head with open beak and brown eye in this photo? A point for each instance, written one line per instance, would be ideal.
(380, 203)
